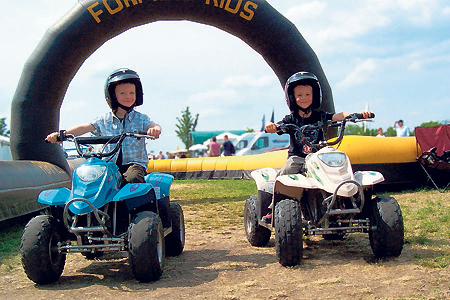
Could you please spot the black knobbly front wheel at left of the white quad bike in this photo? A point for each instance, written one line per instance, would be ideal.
(288, 232)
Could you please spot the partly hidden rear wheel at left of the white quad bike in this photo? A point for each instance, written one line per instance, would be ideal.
(257, 235)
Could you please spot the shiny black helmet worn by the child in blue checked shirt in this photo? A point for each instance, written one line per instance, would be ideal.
(122, 75)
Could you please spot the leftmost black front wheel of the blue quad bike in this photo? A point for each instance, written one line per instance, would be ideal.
(42, 261)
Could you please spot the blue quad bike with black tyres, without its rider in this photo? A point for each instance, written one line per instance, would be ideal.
(101, 214)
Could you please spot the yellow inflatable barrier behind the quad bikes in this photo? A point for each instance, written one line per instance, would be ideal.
(394, 157)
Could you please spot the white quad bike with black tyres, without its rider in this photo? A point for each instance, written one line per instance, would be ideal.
(328, 199)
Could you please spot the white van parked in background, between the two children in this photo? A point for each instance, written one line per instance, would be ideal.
(259, 142)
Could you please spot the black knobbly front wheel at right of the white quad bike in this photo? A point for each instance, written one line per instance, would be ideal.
(387, 232)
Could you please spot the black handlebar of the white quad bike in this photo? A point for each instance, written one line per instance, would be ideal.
(309, 133)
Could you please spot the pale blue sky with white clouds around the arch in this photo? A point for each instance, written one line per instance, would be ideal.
(390, 55)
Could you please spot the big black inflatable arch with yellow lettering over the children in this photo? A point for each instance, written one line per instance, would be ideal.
(66, 45)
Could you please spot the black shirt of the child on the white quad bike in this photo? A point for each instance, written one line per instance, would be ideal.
(299, 148)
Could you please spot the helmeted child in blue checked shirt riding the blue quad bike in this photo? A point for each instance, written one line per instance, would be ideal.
(123, 92)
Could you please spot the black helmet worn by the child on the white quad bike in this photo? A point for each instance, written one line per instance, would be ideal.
(303, 78)
